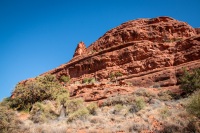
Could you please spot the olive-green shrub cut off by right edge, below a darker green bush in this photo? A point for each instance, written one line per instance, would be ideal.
(193, 104)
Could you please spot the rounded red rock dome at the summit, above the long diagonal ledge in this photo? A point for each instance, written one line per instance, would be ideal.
(159, 30)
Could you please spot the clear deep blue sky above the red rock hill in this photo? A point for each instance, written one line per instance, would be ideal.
(39, 35)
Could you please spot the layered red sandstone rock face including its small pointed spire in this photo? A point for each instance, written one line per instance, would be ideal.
(142, 52)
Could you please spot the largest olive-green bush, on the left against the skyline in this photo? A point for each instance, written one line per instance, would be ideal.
(41, 88)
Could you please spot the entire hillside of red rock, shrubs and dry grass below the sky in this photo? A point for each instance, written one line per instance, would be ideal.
(141, 76)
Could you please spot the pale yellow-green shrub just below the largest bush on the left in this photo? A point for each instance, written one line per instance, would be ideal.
(42, 111)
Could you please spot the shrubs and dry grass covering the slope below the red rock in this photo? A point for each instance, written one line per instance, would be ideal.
(52, 98)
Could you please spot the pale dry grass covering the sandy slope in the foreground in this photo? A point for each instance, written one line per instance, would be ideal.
(154, 115)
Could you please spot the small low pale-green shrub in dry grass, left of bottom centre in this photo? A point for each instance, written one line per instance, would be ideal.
(81, 113)
